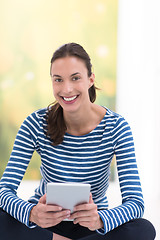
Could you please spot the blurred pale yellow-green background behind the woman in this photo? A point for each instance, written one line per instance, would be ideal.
(30, 31)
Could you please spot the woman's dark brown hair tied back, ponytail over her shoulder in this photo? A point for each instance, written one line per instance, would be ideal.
(56, 126)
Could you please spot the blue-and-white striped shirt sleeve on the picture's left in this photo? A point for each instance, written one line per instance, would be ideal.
(24, 146)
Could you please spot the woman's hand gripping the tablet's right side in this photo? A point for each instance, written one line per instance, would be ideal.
(87, 215)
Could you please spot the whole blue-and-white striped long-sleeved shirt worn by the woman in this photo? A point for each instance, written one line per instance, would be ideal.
(84, 159)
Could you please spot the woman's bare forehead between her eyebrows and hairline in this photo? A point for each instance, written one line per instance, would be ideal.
(68, 64)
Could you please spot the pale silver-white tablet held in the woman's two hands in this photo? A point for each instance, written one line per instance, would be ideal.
(67, 195)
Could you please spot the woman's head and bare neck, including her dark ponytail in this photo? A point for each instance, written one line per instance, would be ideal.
(74, 90)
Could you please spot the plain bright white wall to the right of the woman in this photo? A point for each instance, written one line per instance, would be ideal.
(138, 86)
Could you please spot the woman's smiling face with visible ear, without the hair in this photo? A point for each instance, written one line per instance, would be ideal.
(70, 83)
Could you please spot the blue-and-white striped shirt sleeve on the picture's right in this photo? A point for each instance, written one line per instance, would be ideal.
(132, 199)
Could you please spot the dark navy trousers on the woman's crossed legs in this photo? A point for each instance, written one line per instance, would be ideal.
(138, 229)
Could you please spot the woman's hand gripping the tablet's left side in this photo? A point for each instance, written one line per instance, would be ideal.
(47, 215)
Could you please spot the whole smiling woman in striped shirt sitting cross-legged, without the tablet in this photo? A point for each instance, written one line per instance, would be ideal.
(76, 140)
